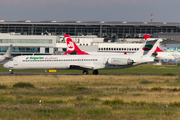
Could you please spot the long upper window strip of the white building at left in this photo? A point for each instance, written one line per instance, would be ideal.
(26, 41)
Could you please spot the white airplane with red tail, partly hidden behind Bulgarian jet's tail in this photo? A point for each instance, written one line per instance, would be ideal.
(167, 56)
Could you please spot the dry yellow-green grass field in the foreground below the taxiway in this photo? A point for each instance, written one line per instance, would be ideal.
(90, 97)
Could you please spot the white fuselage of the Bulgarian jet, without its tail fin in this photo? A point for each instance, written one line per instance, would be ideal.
(93, 62)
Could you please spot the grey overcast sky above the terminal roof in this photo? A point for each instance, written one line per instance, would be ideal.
(90, 10)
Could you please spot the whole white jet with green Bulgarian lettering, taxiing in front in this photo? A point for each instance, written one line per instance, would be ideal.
(85, 62)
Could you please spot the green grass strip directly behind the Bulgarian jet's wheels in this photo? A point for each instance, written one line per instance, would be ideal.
(141, 69)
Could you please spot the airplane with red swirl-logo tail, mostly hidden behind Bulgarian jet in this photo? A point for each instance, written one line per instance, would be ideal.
(73, 49)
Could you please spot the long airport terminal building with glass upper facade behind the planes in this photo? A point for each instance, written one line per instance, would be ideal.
(46, 37)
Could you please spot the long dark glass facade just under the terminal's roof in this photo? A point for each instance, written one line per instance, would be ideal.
(106, 30)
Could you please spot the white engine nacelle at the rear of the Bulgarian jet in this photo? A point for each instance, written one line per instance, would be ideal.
(120, 61)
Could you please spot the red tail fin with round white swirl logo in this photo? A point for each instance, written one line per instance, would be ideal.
(72, 47)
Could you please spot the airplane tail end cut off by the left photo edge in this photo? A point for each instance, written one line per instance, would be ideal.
(7, 55)
